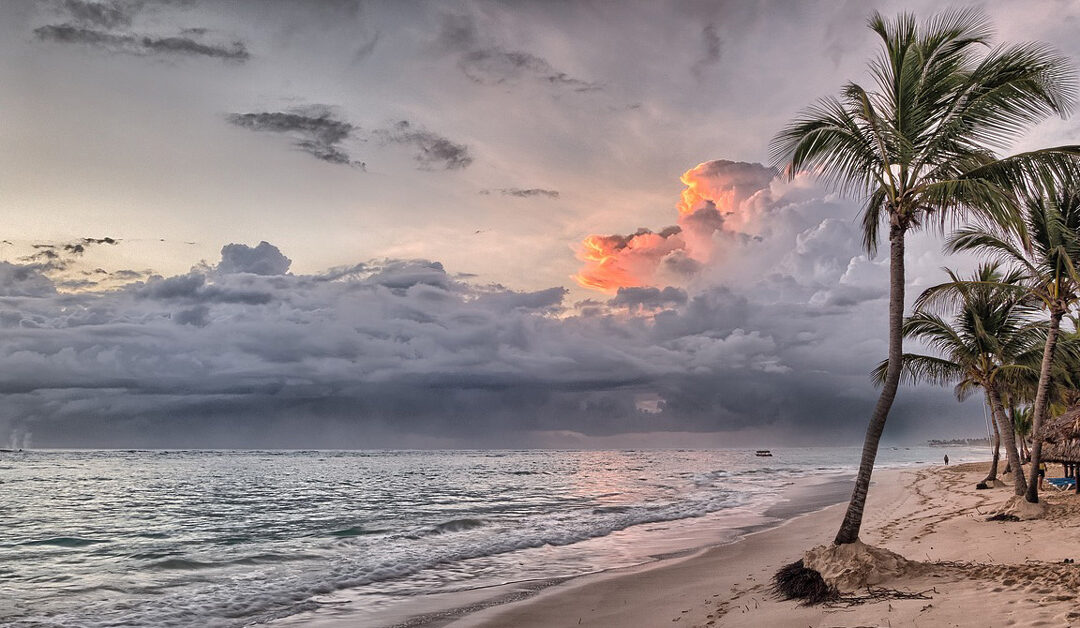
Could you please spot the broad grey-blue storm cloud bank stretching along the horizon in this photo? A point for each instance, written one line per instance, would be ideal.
(244, 353)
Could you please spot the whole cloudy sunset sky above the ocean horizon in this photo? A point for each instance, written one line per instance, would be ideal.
(346, 224)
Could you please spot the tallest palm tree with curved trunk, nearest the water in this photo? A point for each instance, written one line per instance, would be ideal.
(920, 148)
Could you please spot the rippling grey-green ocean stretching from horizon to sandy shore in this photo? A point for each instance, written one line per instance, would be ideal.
(96, 539)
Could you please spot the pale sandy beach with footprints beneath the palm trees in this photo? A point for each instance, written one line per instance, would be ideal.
(973, 572)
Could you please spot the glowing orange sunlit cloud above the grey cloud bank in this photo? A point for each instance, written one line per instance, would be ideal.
(712, 203)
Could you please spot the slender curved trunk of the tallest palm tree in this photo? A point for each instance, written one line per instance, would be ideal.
(854, 518)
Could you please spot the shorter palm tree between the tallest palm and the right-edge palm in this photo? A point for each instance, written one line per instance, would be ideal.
(991, 343)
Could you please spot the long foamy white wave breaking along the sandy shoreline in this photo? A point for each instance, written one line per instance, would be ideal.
(393, 558)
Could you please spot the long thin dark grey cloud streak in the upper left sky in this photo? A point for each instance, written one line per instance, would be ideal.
(140, 45)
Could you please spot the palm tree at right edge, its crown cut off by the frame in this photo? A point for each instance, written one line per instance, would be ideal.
(1048, 249)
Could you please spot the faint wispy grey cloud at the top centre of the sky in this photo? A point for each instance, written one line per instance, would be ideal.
(494, 65)
